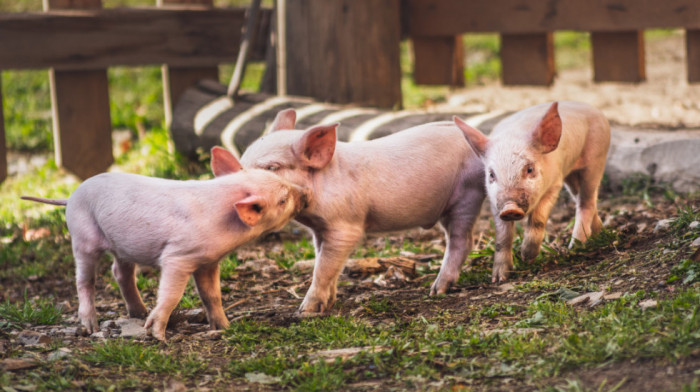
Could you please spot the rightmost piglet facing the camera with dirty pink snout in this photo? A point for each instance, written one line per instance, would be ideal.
(528, 158)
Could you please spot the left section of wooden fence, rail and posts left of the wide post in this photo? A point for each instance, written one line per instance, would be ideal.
(78, 40)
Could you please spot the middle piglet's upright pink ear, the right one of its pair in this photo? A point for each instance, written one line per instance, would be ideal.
(316, 147)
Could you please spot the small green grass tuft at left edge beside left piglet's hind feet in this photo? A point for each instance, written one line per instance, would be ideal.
(42, 311)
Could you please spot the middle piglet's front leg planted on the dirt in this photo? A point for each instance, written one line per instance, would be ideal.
(332, 250)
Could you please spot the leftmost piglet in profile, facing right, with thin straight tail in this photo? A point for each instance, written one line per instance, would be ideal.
(183, 227)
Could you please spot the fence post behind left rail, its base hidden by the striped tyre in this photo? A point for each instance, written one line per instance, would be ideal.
(177, 79)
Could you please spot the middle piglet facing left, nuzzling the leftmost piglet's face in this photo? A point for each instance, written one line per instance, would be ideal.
(421, 176)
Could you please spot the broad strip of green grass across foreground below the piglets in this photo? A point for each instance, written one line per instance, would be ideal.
(431, 349)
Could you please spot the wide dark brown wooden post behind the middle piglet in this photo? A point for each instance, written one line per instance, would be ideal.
(363, 65)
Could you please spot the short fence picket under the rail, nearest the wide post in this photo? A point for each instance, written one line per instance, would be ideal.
(438, 60)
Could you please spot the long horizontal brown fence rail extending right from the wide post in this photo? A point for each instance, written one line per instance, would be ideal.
(451, 17)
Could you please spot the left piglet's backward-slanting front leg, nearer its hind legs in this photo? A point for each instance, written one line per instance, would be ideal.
(173, 280)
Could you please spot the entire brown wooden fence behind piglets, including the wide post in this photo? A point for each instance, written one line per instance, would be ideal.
(342, 51)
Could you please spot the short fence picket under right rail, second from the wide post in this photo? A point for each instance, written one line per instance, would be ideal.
(527, 59)
